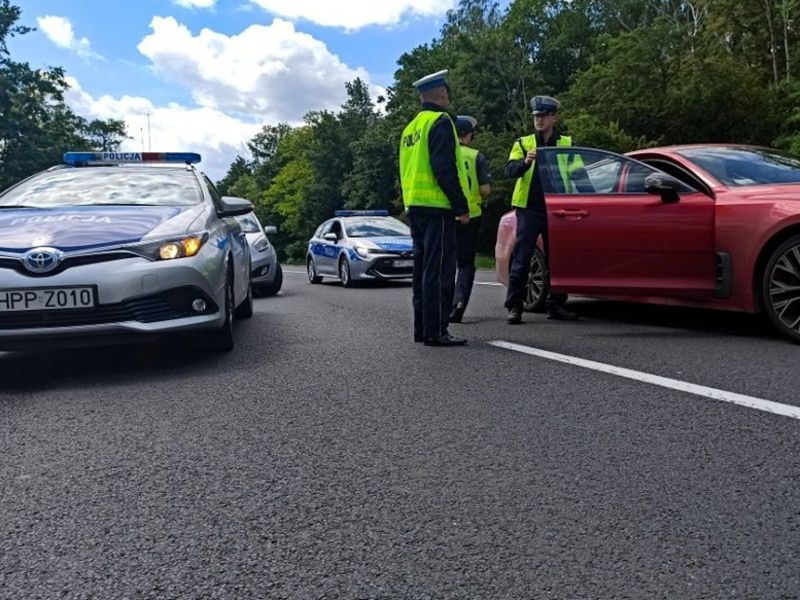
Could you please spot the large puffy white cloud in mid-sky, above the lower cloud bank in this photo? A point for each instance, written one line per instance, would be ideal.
(273, 72)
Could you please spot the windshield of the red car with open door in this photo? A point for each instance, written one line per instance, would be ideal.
(745, 166)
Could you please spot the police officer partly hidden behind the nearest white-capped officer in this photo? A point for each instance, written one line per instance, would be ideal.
(479, 180)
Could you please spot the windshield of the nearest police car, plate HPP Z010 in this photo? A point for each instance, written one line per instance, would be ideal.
(106, 185)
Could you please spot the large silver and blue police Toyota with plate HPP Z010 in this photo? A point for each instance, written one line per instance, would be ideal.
(112, 246)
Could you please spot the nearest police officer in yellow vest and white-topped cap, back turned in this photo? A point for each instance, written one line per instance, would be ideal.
(433, 177)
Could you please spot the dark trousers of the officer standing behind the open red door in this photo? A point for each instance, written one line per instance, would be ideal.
(531, 223)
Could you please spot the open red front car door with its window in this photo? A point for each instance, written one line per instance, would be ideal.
(608, 235)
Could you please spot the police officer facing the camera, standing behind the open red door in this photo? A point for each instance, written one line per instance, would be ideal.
(528, 200)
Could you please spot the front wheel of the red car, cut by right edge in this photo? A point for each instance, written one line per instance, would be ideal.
(780, 288)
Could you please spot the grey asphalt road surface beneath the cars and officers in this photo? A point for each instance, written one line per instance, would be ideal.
(329, 456)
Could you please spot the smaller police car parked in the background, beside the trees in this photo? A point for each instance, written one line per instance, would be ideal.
(358, 245)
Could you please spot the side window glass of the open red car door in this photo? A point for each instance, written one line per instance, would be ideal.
(586, 171)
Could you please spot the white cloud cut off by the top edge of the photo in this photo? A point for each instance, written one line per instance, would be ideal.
(355, 14)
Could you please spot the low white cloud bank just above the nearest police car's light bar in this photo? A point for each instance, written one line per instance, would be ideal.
(173, 128)
